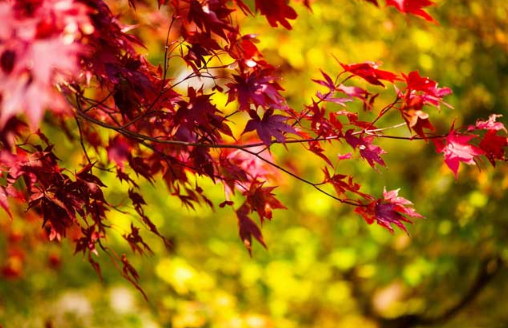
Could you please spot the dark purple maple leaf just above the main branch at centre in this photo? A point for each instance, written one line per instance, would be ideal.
(268, 127)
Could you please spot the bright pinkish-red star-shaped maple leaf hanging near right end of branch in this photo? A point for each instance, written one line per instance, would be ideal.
(457, 149)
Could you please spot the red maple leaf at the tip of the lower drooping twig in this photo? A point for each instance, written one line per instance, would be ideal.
(391, 209)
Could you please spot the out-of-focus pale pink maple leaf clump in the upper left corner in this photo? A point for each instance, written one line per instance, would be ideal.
(38, 56)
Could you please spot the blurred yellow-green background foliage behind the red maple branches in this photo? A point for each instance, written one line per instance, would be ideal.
(324, 267)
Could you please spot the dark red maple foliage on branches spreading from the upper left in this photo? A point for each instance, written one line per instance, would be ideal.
(74, 65)
